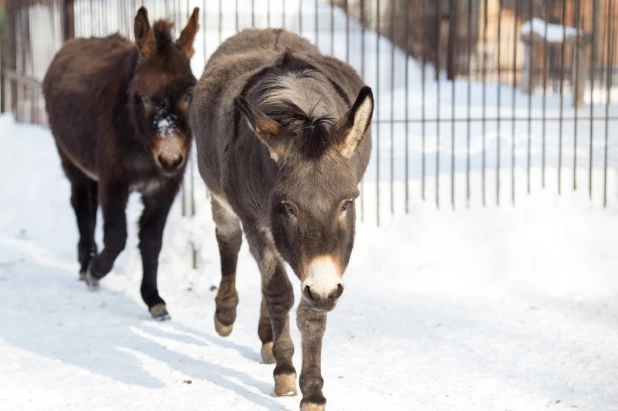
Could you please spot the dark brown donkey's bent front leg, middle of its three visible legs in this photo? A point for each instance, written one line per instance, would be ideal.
(113, 197)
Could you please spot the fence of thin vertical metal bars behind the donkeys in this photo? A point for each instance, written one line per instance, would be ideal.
(479, 102)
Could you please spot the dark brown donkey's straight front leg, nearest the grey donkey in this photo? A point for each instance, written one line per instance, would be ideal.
(152, 223)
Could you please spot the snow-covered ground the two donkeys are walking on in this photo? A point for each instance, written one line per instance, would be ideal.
(481, 309)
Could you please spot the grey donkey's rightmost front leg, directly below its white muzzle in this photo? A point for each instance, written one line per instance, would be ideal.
(312, 324)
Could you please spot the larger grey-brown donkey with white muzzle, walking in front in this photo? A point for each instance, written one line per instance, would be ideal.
(283, 140)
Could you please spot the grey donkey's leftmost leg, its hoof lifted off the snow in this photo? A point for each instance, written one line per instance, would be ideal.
(229, 238)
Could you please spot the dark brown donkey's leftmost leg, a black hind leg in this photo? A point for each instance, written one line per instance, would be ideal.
(84, 202)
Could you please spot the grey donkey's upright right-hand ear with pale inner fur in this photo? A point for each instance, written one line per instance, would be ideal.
(352, 127)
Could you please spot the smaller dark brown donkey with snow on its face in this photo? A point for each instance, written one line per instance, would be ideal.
(119, 114)
